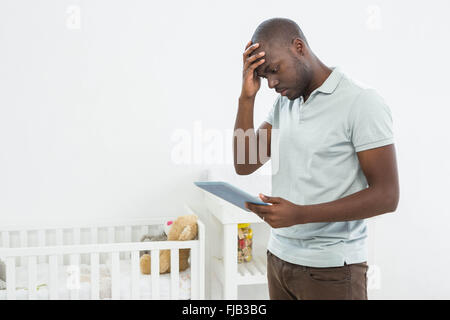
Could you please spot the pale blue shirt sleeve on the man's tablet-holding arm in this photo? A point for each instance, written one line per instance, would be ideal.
(371, 122)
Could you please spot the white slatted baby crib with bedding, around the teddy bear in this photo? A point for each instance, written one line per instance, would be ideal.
(98, 247)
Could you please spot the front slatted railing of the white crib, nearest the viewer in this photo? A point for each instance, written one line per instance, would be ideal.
(74, 251)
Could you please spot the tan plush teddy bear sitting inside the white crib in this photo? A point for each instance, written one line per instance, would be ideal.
(182, 229)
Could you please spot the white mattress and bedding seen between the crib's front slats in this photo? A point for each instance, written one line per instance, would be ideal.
(67, 281)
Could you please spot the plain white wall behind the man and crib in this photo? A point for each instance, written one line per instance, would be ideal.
(92, 94)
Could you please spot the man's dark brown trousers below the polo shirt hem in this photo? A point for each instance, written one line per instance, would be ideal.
(289, 281)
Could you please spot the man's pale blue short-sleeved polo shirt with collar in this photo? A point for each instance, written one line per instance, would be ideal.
(314, 160)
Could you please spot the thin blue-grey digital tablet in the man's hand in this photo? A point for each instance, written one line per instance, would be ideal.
(230, 193)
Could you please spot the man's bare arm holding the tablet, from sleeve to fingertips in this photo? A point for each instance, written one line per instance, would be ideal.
(382, 196)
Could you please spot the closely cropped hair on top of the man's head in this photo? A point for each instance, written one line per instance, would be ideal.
(279, 32)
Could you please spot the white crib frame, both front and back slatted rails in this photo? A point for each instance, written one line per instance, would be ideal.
(55, 253)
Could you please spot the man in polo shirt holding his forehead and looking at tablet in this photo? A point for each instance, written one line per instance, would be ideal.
(336, 165)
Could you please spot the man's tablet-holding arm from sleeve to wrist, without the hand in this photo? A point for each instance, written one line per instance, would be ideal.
(380, 168)
